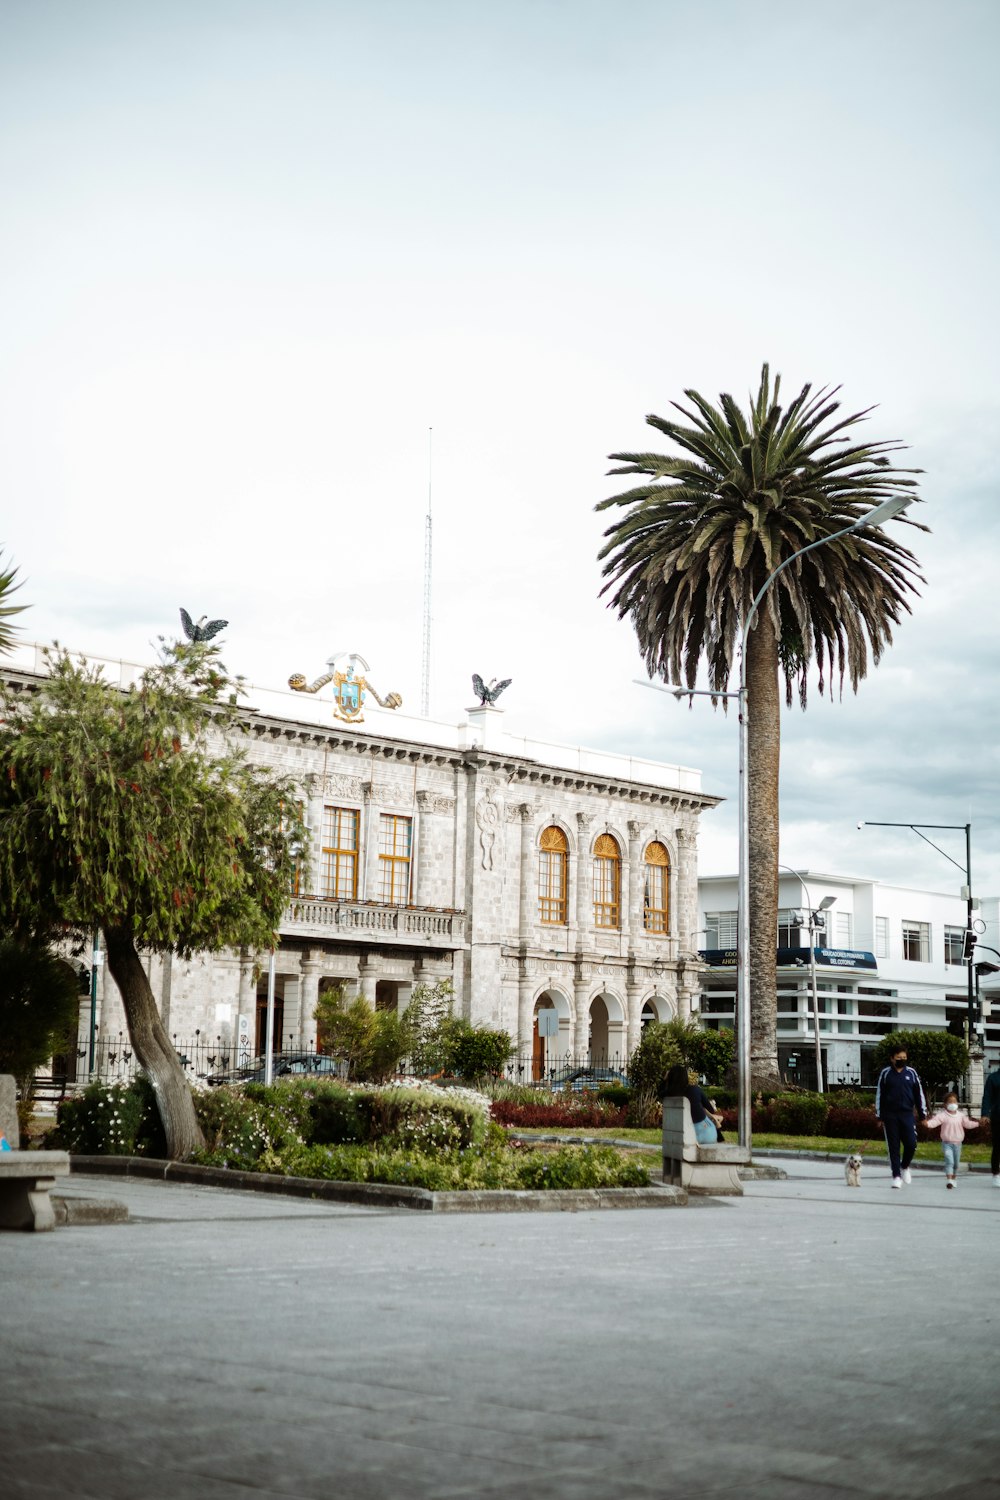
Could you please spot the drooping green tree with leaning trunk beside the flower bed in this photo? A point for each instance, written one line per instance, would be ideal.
(139, 814)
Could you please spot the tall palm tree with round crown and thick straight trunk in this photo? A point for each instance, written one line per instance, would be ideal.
(698, 542)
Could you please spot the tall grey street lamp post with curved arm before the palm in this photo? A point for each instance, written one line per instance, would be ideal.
(873, 518)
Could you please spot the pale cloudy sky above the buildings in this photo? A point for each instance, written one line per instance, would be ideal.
(275, 277)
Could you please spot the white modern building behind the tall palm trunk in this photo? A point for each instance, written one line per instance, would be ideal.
(885, 958)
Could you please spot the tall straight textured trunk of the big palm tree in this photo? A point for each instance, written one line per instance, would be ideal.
(764, 755)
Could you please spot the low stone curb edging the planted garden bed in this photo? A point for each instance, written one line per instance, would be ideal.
(383, 1195)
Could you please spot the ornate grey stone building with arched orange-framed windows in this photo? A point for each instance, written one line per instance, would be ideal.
(536, 877)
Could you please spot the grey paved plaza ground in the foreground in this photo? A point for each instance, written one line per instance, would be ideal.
(804, 1342)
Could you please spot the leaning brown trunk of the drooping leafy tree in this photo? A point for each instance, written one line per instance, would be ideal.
(154, 1048)
